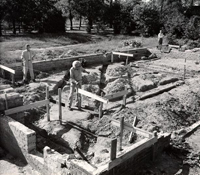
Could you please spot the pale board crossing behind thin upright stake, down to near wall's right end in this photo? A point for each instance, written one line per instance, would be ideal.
(129, 127)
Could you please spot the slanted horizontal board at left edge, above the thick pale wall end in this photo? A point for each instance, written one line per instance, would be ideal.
(26, 107)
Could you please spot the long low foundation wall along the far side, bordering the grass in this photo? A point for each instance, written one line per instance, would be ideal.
(65, 63)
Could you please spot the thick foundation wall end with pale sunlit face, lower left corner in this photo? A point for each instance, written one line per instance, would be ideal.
(16, 138)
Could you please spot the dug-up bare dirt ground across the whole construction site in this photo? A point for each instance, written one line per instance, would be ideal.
(172, 110)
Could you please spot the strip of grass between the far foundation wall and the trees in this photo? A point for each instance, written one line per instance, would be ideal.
(51, 46)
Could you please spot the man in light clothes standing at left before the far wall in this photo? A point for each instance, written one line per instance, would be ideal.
(27, 57)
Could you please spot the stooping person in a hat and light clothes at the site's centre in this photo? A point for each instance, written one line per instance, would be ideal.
(75, 83)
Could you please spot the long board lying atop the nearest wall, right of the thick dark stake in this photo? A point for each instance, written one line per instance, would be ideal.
(139, 146)
